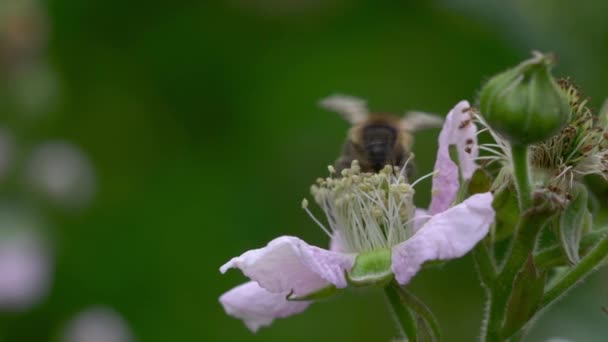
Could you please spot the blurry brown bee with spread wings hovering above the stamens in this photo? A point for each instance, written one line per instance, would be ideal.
(374, 139)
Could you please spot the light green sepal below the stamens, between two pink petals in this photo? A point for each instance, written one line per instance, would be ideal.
(371, 269)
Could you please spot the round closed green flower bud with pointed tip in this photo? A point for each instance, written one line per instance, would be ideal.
(525, 104)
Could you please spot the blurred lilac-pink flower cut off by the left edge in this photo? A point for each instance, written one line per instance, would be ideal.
(25, 261)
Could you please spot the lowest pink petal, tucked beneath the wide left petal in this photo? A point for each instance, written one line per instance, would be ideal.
(258, 307)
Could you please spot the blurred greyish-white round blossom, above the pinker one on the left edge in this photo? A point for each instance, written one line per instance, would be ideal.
(63, 173)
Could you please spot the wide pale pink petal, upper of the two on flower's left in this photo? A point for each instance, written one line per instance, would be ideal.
(288, 264)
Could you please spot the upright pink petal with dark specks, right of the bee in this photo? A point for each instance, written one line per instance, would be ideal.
(458, 129)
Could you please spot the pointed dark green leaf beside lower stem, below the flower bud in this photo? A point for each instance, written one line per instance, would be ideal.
(525, 298)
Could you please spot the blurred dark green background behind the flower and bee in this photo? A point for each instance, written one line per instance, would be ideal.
(200, 121)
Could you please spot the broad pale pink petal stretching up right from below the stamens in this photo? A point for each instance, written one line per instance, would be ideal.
(448, 235)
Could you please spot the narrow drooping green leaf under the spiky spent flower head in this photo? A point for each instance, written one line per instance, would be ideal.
(572, 223)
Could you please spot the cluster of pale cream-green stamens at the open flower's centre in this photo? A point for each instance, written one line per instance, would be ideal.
(366, 211)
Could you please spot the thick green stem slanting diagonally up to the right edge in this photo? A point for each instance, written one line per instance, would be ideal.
(587, 265)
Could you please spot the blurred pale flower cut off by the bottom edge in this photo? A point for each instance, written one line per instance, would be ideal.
(98, 324)
